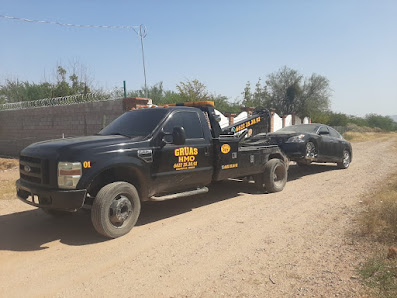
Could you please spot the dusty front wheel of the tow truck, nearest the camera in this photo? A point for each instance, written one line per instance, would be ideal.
(116, 209)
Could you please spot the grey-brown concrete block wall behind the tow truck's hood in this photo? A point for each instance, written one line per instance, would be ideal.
(20, 128)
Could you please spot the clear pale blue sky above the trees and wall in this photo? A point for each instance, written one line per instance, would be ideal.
(223, 44)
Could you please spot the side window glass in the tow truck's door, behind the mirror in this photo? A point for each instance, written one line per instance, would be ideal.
(189, 121)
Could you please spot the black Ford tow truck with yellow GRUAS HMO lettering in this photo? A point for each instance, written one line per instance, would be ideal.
(147, 154)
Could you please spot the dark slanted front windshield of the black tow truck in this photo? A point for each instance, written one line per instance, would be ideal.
(137, 123)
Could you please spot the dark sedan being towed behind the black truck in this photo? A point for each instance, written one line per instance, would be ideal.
(306, 143)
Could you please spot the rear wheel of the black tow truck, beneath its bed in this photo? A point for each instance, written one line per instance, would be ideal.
(275, 175)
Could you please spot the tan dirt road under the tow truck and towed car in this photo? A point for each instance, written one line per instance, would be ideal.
(230, 242)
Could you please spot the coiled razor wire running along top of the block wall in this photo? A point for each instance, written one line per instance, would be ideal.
(58, 101)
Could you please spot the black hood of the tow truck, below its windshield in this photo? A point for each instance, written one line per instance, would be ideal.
(69, 146)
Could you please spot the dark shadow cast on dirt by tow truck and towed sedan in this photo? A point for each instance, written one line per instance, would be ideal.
(32, 230)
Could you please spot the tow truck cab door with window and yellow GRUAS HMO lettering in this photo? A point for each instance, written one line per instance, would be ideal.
(180, 167)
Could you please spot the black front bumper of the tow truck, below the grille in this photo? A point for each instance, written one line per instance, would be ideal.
(69, 200)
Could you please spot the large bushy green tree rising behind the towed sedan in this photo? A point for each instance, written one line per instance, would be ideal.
(289, 92)
